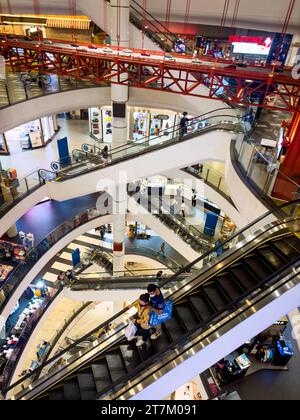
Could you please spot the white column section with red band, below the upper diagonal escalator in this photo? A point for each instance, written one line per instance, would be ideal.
(119, 220)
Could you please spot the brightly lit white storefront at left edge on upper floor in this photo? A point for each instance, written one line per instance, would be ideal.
(32, 135)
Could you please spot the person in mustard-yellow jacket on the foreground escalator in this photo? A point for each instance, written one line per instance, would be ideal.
(142, 319)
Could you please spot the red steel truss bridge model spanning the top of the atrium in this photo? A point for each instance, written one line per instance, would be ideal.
(177, 74)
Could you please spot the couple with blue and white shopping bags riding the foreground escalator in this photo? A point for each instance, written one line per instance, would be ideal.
(153, 300)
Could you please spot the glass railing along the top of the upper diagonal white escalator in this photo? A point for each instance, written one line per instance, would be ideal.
(83, 161)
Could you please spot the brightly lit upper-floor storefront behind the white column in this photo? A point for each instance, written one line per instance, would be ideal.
(142, 122)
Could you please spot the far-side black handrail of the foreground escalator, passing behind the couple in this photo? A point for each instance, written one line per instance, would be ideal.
(180, 272)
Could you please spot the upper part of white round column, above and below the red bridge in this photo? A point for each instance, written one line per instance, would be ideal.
(119, 94)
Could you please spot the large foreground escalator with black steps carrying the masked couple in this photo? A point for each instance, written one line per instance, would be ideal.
(260, 266)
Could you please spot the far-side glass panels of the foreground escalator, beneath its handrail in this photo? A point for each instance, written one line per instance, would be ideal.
(103, 336)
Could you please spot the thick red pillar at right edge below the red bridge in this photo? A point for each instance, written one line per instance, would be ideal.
(285, 187)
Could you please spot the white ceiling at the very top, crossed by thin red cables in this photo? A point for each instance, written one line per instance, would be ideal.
(254, 14)
